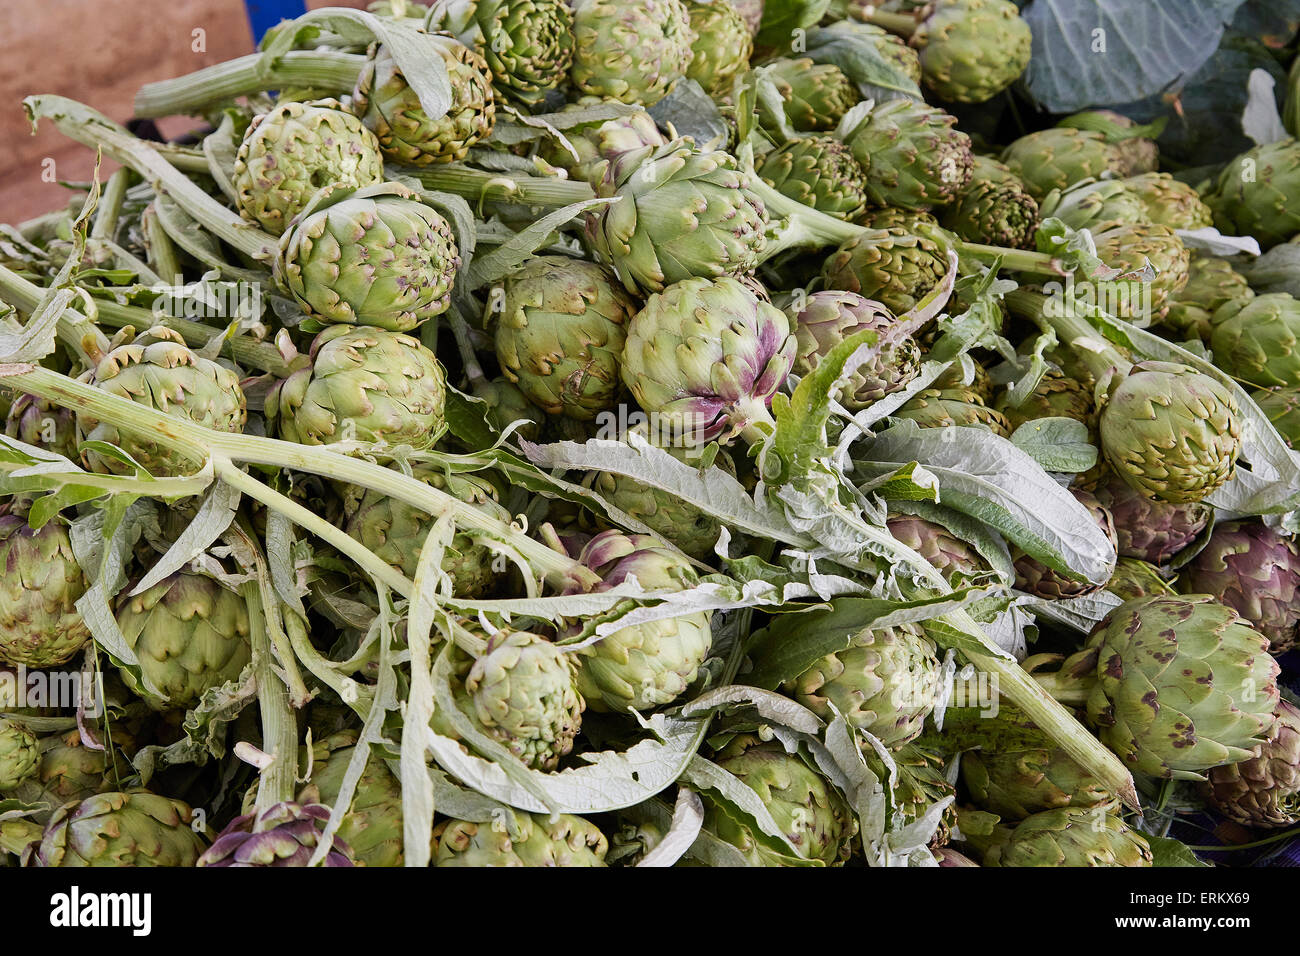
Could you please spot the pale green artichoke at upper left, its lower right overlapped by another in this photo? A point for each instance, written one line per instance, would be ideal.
(294, 150)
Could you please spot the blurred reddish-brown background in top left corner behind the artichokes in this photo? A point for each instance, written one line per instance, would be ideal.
(99, 53)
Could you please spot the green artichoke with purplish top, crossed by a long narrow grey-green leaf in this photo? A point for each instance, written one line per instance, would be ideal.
(647, 665)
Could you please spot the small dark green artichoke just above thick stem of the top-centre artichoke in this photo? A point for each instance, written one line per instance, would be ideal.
(820, 172)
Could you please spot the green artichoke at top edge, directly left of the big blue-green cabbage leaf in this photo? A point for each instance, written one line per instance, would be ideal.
(973, 50)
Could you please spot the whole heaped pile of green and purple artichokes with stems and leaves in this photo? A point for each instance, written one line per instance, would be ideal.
(613, 434)
